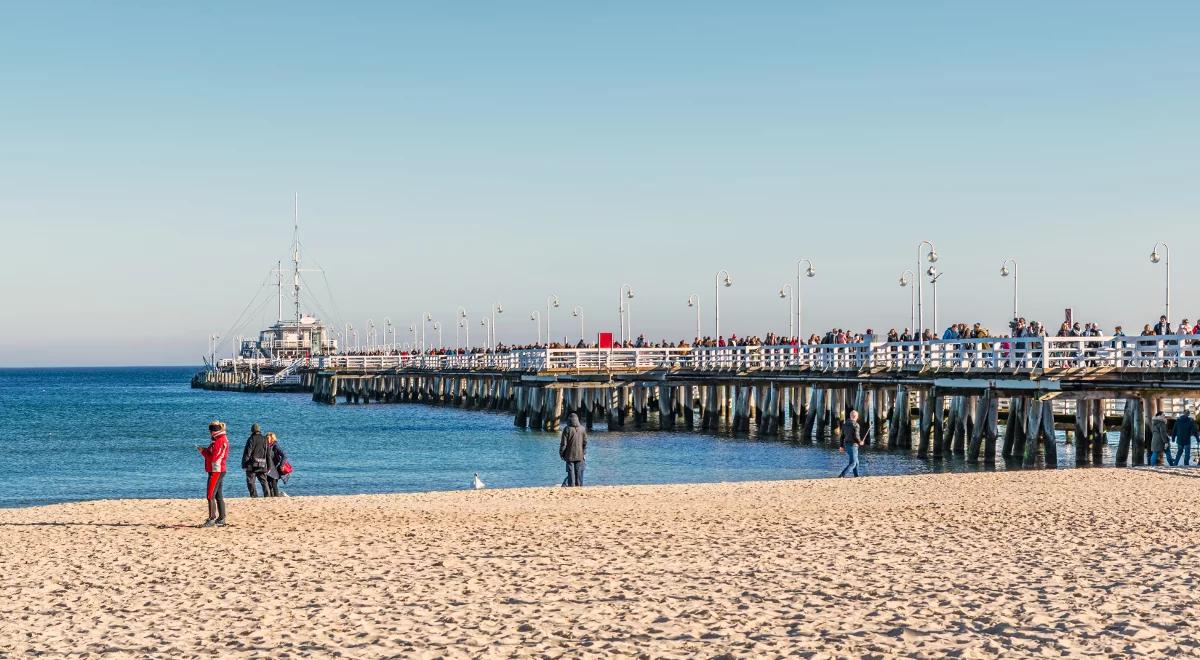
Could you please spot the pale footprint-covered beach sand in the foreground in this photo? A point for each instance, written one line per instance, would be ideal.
(1035, 563)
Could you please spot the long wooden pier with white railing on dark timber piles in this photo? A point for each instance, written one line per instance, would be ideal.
(941, 399)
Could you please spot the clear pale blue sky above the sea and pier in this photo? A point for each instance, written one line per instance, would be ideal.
(464, 154)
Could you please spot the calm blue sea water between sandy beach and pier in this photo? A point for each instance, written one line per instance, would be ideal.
(103, 434)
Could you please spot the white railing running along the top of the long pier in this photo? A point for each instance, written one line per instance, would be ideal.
(989, 353)
